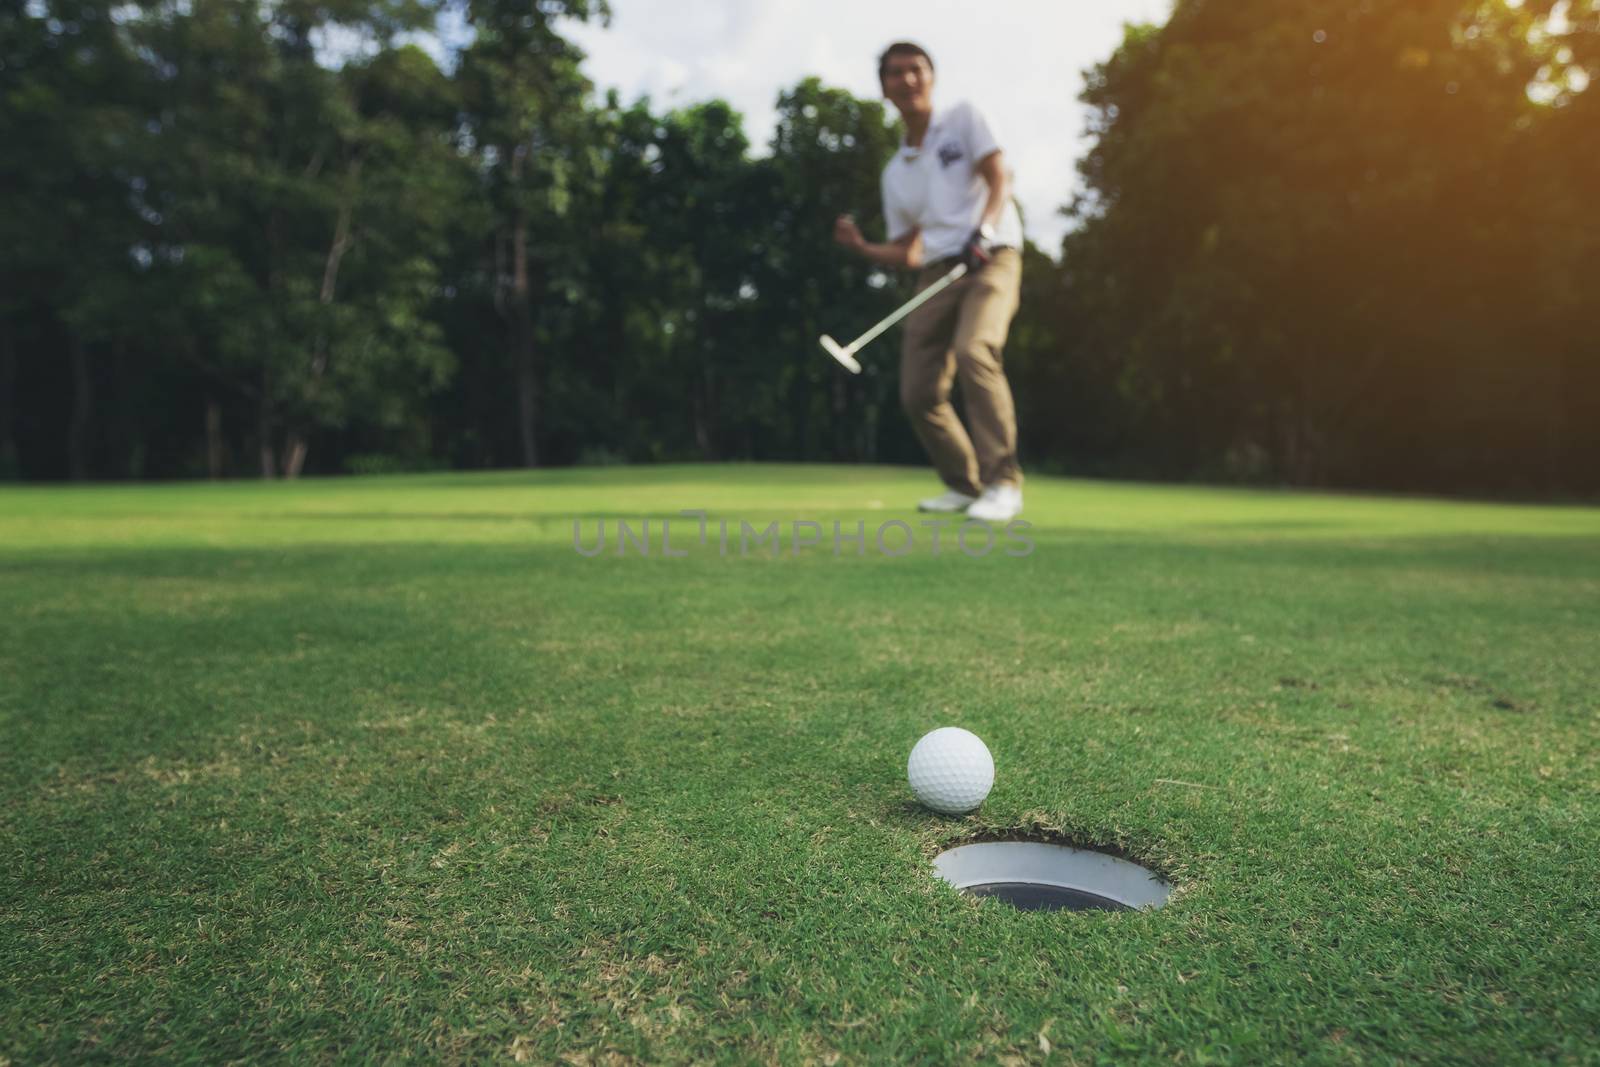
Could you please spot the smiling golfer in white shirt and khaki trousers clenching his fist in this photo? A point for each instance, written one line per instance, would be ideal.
(948, 201)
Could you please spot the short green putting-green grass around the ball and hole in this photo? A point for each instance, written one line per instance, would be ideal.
(370, 770)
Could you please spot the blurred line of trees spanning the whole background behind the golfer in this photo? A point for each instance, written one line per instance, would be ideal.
(1321, 244)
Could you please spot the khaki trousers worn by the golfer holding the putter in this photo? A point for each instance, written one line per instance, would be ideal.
(961, 334)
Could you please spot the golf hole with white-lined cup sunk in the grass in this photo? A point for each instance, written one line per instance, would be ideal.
(1034, 876)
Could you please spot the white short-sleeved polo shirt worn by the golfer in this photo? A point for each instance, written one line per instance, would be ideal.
(940, 190)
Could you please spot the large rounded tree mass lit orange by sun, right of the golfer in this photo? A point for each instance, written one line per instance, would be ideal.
(1311, 236)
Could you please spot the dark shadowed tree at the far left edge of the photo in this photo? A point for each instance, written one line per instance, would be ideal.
(70, 94)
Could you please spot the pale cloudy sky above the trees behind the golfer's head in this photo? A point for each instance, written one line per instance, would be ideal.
(1020, 62)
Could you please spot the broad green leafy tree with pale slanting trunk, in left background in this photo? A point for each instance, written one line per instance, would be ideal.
(274, 177)
